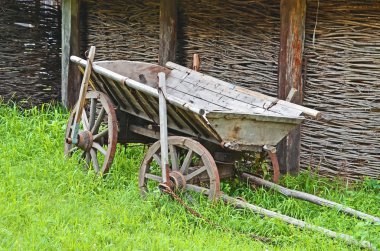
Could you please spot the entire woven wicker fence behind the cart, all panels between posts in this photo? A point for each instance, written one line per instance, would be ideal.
(238, 41)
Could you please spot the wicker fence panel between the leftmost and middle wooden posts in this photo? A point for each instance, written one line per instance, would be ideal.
(121, 29)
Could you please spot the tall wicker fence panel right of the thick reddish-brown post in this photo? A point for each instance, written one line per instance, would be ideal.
(342, 72)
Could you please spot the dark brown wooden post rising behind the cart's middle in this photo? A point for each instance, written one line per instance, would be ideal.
(168, 31)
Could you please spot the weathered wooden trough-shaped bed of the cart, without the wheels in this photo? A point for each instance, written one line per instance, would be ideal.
(198, 105)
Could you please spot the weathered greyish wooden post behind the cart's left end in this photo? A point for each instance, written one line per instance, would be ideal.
(70, 84)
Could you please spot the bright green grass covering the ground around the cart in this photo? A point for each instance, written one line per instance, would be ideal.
(48, 203)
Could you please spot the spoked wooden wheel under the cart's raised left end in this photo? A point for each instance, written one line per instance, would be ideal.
(97, 136)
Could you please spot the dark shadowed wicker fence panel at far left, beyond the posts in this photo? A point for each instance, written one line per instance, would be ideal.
(29, 51)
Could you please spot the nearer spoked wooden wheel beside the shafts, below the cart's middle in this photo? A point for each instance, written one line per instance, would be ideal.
(191, 168)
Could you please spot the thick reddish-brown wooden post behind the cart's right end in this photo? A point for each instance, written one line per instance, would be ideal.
(292, 34)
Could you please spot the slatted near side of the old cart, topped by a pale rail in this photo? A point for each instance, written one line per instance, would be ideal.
(141, 100)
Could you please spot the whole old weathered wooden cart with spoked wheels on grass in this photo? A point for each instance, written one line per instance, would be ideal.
(211, 123)
